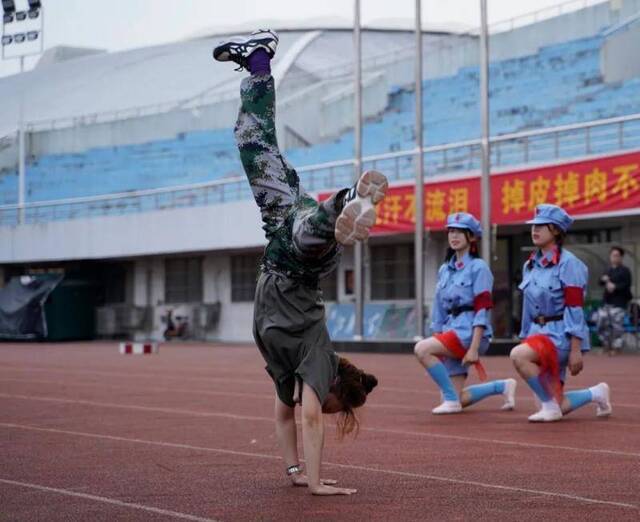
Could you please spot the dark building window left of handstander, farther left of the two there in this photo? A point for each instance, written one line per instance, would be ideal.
(183, 280)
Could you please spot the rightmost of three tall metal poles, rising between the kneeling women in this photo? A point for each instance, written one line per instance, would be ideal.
(484, 107)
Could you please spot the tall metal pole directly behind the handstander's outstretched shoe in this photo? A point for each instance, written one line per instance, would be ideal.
(358, 247)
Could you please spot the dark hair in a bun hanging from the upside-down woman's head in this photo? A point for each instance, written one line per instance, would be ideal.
(351, 388)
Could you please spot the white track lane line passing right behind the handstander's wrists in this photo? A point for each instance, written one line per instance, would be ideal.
(438, 478)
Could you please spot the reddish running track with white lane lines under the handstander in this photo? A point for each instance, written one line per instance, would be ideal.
(187, 434)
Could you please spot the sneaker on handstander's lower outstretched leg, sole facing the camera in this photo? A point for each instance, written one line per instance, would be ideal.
(359, 213)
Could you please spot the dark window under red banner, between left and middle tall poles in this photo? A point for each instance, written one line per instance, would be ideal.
(392, 272)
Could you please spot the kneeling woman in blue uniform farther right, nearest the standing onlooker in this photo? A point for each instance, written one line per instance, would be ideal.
(553, 326)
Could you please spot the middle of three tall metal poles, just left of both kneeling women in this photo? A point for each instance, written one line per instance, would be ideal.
(419, 188)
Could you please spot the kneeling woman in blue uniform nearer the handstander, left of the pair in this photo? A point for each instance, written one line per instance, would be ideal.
(461, 322)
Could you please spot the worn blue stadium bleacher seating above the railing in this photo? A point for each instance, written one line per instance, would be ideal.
(560, 84)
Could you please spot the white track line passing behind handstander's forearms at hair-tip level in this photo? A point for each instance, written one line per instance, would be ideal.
(368, 429)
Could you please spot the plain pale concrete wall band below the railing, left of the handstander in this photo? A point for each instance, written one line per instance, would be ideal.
(223, 226)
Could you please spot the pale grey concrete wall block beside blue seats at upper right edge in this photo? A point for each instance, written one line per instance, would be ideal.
(619, 55)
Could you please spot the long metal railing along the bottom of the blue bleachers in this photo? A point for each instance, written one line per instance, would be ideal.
(544, 145)
